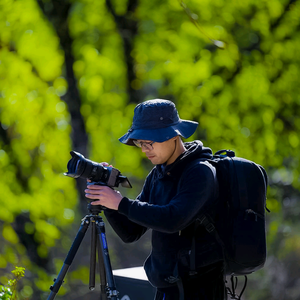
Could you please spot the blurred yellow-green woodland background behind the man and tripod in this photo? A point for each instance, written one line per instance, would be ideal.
(71, 73)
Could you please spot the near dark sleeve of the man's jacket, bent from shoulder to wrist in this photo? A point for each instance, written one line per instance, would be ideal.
(196, 187)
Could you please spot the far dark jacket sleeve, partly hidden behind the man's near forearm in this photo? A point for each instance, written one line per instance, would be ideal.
(128, 230)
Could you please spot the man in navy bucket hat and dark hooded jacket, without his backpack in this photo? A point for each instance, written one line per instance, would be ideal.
(181, 185)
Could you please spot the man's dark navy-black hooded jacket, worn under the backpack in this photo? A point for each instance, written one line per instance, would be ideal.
(169, 203)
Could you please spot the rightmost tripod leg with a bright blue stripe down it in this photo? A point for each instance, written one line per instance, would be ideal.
(112, 293)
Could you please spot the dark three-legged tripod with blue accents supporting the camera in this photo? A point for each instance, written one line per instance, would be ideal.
(107, 285)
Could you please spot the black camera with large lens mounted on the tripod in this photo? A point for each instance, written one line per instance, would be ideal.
(79, 166)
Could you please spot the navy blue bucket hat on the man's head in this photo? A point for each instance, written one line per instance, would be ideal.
(158, 121)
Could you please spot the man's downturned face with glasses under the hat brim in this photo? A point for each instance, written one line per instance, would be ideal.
(159, 153)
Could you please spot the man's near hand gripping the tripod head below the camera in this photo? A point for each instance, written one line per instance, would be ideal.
(103, 195)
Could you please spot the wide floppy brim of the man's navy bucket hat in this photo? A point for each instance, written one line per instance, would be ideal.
(183, 128)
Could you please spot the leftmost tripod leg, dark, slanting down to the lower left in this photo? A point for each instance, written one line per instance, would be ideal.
(68, 261)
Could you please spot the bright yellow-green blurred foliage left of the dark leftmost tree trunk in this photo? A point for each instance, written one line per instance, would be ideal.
(34, 135)
